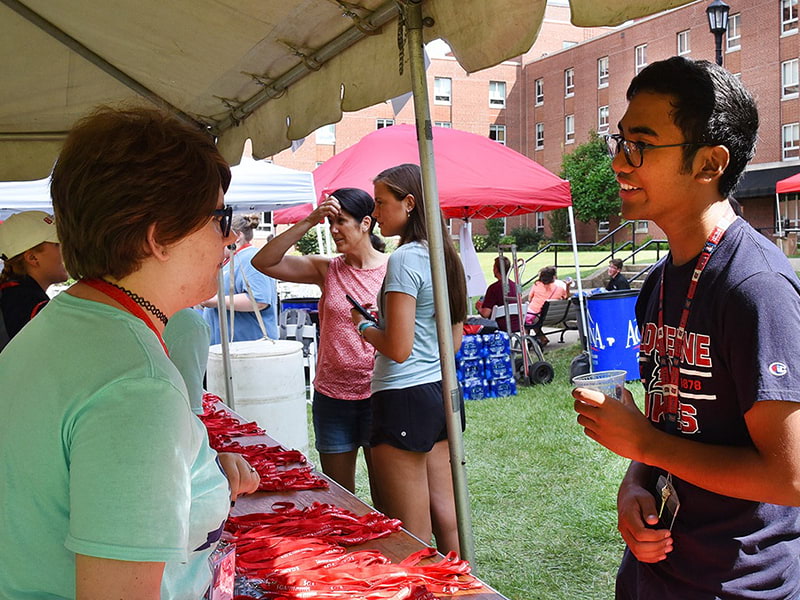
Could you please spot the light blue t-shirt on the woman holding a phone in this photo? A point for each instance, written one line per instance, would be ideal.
(409, 272)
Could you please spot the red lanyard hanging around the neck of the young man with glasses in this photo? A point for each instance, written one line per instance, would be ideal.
(670, 373)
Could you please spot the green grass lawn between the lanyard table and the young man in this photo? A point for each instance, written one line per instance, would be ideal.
(542, 494)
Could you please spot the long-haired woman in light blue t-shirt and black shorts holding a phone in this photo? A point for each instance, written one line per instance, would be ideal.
(410, 450)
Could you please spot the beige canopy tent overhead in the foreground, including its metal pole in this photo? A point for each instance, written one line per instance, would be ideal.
(270, 71)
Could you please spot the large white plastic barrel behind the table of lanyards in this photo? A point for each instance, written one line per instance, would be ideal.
(268, 387)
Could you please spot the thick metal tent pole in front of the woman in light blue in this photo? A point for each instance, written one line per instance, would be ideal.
(450, 391)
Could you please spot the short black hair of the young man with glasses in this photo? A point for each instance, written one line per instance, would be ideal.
(712, 107)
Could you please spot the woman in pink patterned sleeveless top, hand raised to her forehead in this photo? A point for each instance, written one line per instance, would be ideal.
(341, 408)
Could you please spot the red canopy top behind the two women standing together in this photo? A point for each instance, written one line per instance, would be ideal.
(477, 176)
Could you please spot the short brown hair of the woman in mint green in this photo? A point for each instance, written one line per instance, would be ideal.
(122, 170)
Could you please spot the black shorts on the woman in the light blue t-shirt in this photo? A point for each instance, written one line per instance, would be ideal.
(412, 418)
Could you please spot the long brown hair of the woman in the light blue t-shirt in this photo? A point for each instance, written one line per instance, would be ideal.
(406, 179)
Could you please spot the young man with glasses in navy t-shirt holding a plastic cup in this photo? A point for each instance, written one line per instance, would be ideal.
(708, 507)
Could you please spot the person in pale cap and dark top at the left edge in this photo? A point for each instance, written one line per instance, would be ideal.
(31, 263)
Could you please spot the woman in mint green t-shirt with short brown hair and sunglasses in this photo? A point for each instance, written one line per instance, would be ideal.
(109, 487)
